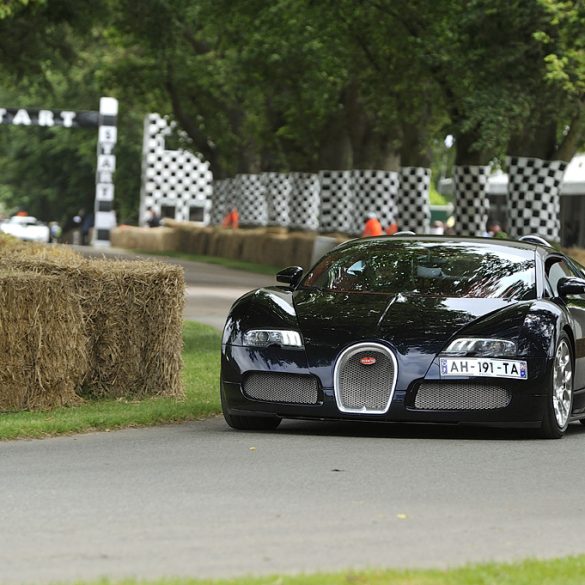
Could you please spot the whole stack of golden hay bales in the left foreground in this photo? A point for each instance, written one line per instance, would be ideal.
(115, 330)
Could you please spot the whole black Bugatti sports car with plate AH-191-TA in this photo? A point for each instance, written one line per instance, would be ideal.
(406, 328)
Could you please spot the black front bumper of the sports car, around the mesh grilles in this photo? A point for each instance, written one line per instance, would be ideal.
(526, 406)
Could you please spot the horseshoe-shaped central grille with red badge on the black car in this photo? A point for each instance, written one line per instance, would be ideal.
(365, 388)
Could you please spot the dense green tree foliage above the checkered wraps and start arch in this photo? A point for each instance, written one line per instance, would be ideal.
(289, 84)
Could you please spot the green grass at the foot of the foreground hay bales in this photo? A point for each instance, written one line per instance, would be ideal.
(201, 375)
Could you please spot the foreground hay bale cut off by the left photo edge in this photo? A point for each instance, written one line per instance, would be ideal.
(43, 357)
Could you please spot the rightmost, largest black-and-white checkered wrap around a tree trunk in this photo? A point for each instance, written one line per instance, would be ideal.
(533, 197)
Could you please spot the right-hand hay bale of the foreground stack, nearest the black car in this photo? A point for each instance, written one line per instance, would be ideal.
(135, 325)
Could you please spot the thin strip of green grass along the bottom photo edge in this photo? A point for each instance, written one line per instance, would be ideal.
(567, 571)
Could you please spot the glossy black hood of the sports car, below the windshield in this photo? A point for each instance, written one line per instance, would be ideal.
(417, 327)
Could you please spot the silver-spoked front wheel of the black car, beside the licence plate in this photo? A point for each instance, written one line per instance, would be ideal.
(560, 398)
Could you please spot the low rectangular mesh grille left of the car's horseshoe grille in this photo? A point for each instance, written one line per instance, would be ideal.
(282, 388)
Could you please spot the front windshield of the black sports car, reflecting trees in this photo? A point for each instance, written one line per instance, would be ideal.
(454, 269)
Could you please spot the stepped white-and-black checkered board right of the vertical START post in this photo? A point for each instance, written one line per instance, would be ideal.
(171, 178)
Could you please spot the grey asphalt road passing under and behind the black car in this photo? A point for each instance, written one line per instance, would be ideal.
(201, 500)
